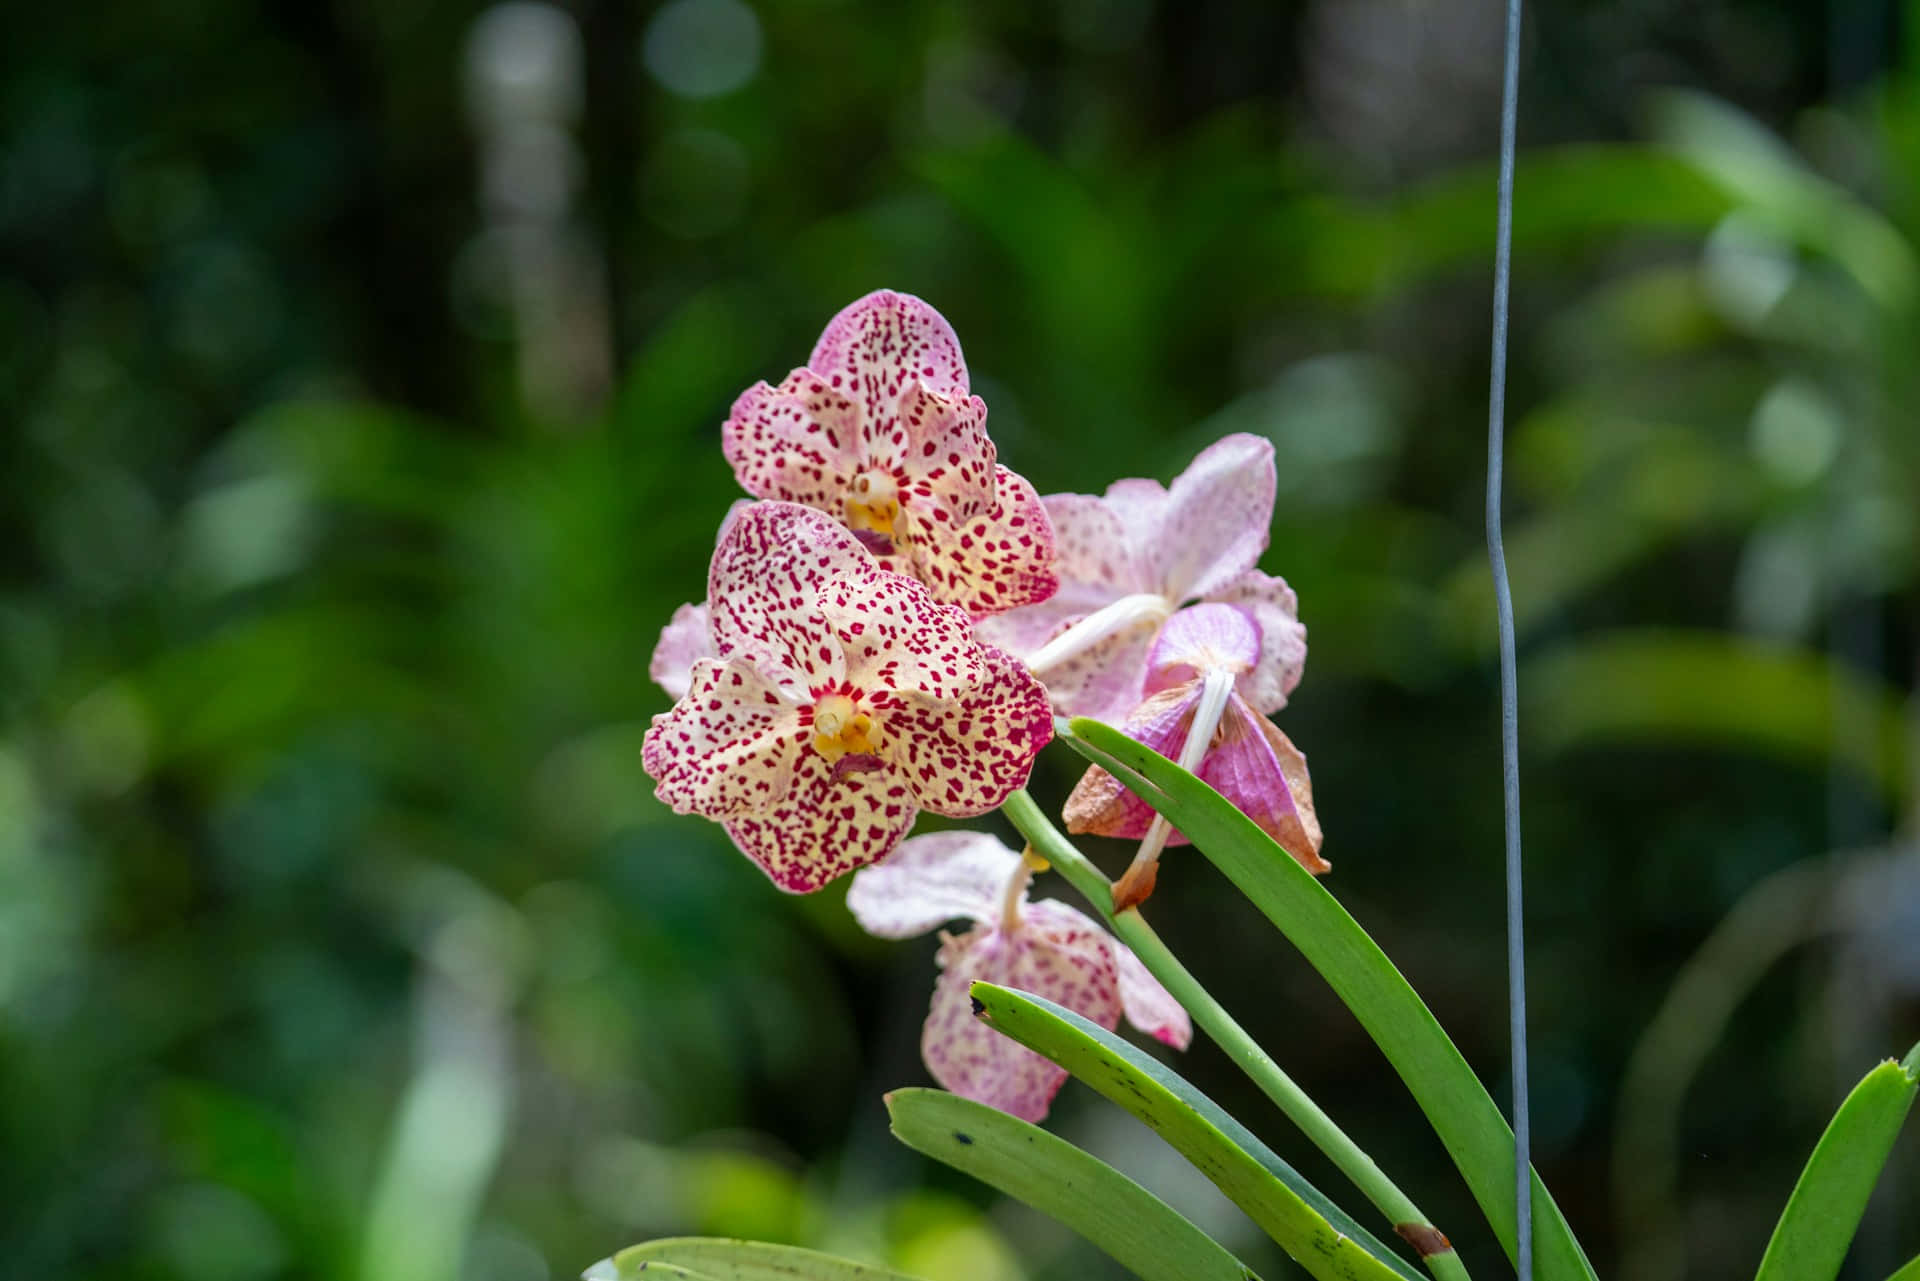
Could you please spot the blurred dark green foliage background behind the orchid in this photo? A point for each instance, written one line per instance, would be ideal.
(362, 370)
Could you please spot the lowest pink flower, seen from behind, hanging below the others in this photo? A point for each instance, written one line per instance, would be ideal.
(1042, 948)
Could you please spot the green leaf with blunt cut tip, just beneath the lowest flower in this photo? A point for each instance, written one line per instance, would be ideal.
(1138, 1230)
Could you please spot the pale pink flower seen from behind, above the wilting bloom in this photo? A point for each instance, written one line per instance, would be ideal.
(1130, 560)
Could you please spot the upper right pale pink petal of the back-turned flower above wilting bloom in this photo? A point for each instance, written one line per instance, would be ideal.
(1214, 521)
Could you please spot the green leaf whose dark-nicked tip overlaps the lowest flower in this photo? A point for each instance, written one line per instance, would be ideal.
(1312, 1230)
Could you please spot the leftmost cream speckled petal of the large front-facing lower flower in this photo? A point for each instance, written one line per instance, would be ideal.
(731, 746)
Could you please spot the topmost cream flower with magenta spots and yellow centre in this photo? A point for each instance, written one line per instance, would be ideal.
(882, 433)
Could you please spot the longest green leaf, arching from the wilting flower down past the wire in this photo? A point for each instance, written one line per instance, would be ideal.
(1452, 1098)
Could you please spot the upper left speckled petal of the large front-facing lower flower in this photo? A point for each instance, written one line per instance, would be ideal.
(769, 573)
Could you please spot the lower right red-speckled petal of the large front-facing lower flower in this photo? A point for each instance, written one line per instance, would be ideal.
(965, 756)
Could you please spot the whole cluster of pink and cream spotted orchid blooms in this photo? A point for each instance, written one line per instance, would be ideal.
(875, 642)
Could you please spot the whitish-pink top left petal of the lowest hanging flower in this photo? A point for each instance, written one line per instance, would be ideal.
(932, 881)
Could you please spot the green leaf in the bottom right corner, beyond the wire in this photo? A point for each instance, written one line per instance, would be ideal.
(1831, 1197)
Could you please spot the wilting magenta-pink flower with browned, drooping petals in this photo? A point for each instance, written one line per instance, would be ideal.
(1201, 712)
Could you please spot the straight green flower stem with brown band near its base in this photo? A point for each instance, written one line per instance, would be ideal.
(1406, 1219)
